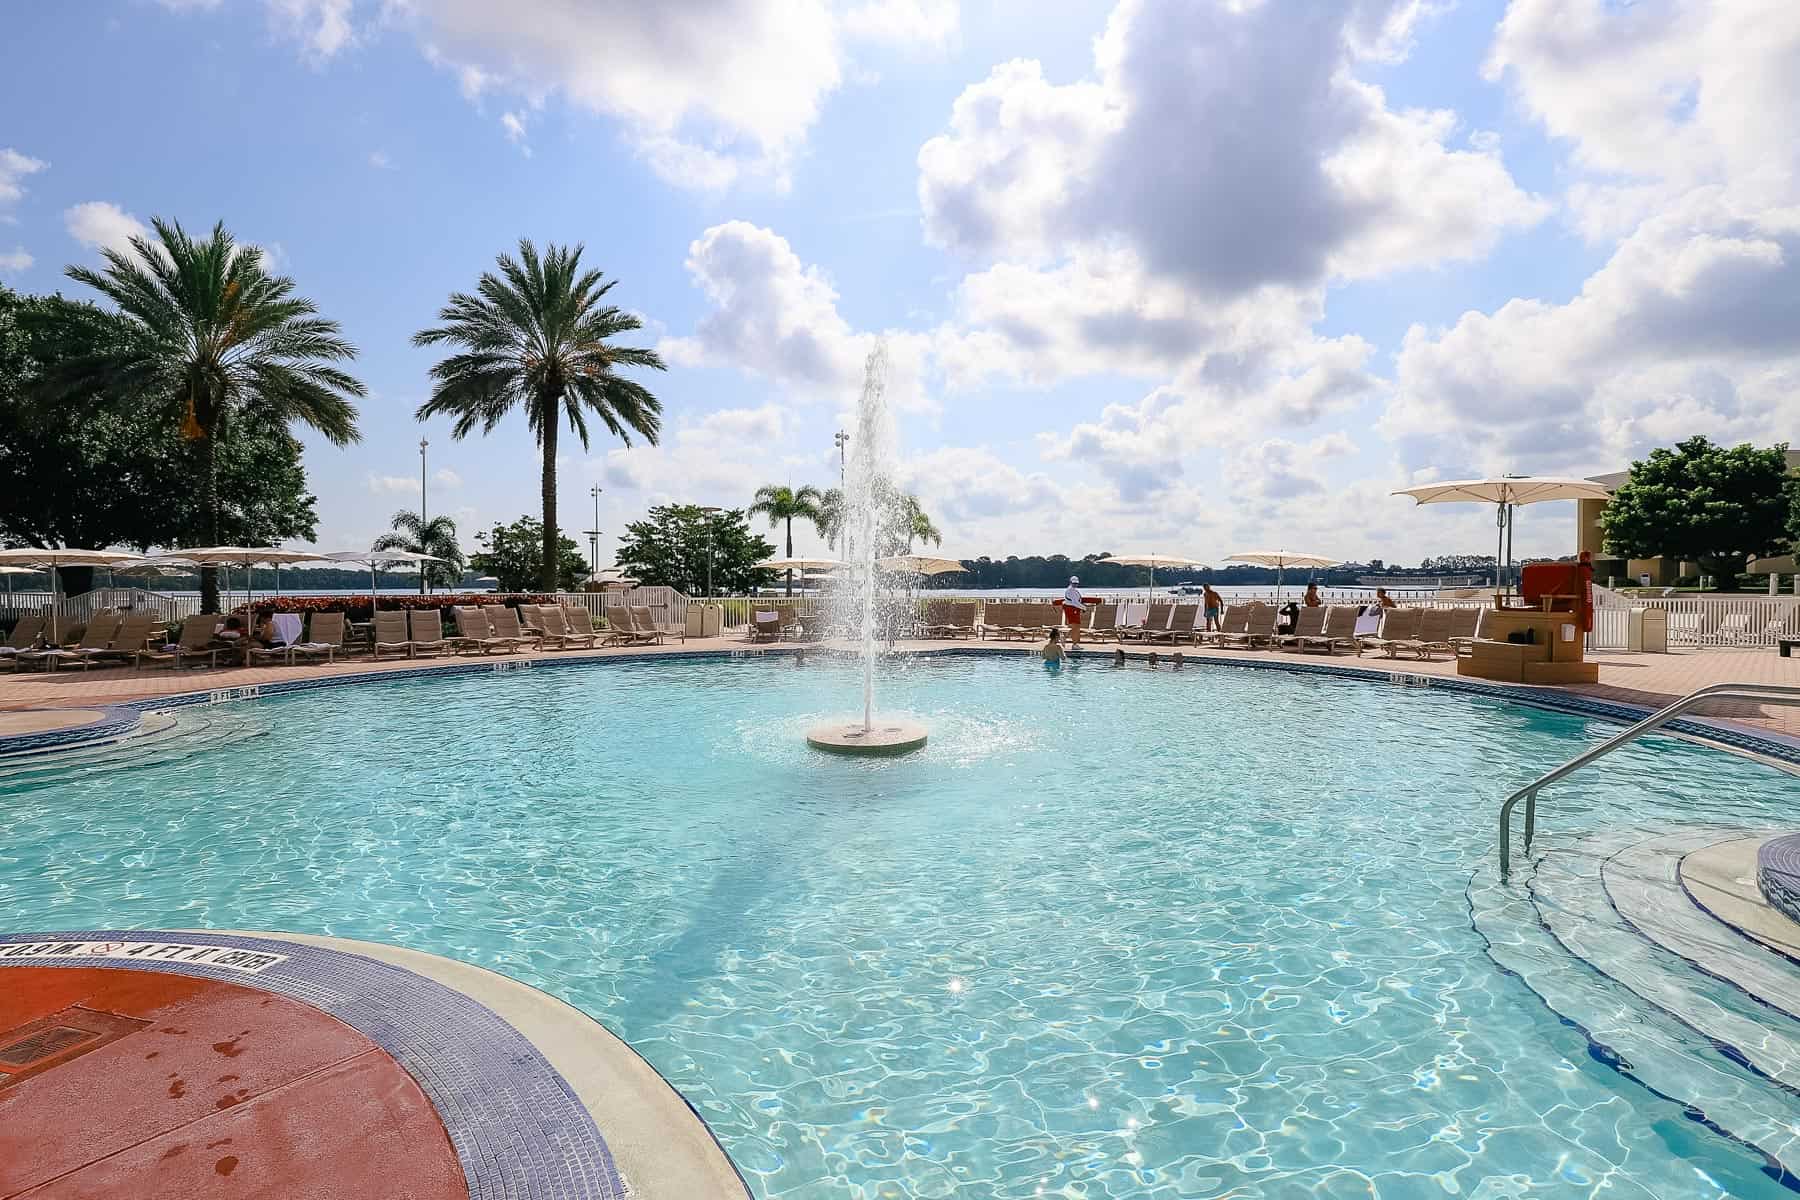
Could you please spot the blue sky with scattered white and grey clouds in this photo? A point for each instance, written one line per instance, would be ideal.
(1169, 276)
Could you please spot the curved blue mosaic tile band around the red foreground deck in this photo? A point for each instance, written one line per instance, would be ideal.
(517, 1127)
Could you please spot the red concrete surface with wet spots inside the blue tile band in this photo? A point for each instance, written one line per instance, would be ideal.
(202, 1089)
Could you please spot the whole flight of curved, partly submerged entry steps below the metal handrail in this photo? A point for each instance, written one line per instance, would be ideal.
(1651, 944)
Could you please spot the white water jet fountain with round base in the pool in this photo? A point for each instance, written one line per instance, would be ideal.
(867, 521)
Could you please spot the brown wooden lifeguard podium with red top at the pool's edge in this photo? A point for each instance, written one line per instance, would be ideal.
(1538, 638)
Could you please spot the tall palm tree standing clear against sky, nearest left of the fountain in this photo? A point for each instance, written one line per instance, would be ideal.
(535, 339)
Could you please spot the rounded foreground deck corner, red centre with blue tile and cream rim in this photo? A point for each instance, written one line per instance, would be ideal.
(159, 1066)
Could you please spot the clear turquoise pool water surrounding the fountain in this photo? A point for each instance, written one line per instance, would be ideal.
(1111, 935)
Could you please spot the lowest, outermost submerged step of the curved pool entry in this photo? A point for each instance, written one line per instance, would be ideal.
(1626, 1034)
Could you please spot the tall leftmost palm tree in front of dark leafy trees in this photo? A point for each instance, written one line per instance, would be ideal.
(211, 341)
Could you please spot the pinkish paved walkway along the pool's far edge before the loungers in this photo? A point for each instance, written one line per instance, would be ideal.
(1648, 681)
